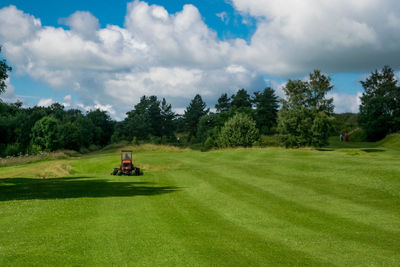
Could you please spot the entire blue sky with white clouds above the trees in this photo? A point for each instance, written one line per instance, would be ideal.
(107, 54)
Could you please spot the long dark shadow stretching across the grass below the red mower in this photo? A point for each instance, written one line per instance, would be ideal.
(75, 187)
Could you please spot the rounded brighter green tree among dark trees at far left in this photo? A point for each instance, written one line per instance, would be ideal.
(46, 134)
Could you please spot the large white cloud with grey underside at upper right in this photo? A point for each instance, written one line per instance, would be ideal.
(293, 37)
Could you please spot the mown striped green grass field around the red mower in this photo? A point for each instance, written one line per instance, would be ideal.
(338, 206)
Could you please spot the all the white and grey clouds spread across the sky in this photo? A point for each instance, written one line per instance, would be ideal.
(177, 55)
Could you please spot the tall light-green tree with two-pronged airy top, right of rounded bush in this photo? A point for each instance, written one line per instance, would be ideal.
(306, 115)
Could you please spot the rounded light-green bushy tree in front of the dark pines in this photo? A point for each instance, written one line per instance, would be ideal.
(240, 130)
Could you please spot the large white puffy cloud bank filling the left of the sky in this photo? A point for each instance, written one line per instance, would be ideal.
(169, 55)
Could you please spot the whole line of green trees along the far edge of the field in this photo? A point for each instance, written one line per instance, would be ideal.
(303, 118)
